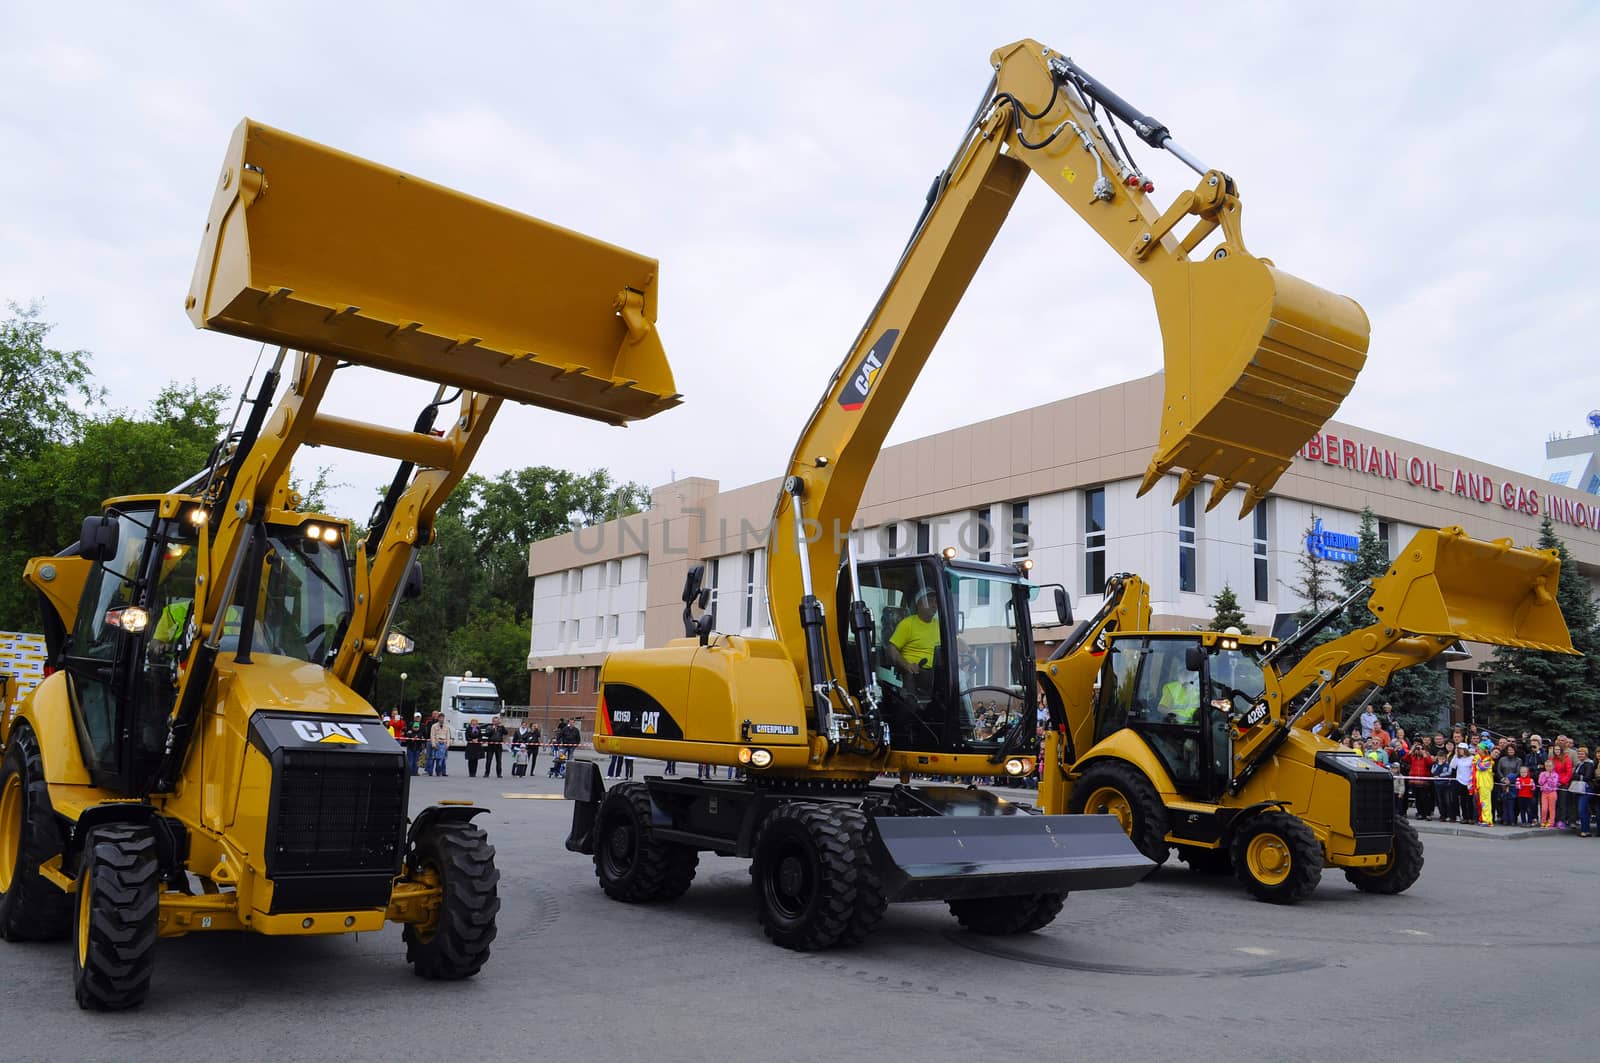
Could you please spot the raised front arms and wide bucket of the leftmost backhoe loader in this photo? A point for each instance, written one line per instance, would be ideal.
(351, 263)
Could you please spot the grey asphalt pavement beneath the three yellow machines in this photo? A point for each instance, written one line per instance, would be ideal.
(1490, 957)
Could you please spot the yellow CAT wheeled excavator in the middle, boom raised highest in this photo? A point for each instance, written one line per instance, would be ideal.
(929, 667)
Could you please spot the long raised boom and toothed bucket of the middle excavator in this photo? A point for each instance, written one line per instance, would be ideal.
(1255, 359)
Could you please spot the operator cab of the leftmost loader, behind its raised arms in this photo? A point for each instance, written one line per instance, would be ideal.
(134, 635)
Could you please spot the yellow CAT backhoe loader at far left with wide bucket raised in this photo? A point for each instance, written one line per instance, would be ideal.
(204, 755)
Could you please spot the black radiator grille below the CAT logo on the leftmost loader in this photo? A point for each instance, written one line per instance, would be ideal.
(338, 814)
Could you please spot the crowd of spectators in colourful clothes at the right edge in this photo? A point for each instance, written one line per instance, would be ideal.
(1481, 777)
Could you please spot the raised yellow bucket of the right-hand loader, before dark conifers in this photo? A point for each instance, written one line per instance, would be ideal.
(1449, 585)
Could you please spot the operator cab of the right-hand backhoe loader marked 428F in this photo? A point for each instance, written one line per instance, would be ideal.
(1183, 696)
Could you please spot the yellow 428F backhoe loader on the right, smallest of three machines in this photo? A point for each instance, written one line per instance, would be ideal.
(1222, 745)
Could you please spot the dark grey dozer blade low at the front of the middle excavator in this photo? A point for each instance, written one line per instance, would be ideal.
(990, 848)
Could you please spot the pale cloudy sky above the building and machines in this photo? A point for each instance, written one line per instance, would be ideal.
(1434, 161)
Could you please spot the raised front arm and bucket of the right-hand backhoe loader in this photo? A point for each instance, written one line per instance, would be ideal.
(1442, 588)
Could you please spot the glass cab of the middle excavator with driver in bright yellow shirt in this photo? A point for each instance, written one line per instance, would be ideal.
(953, 652)
